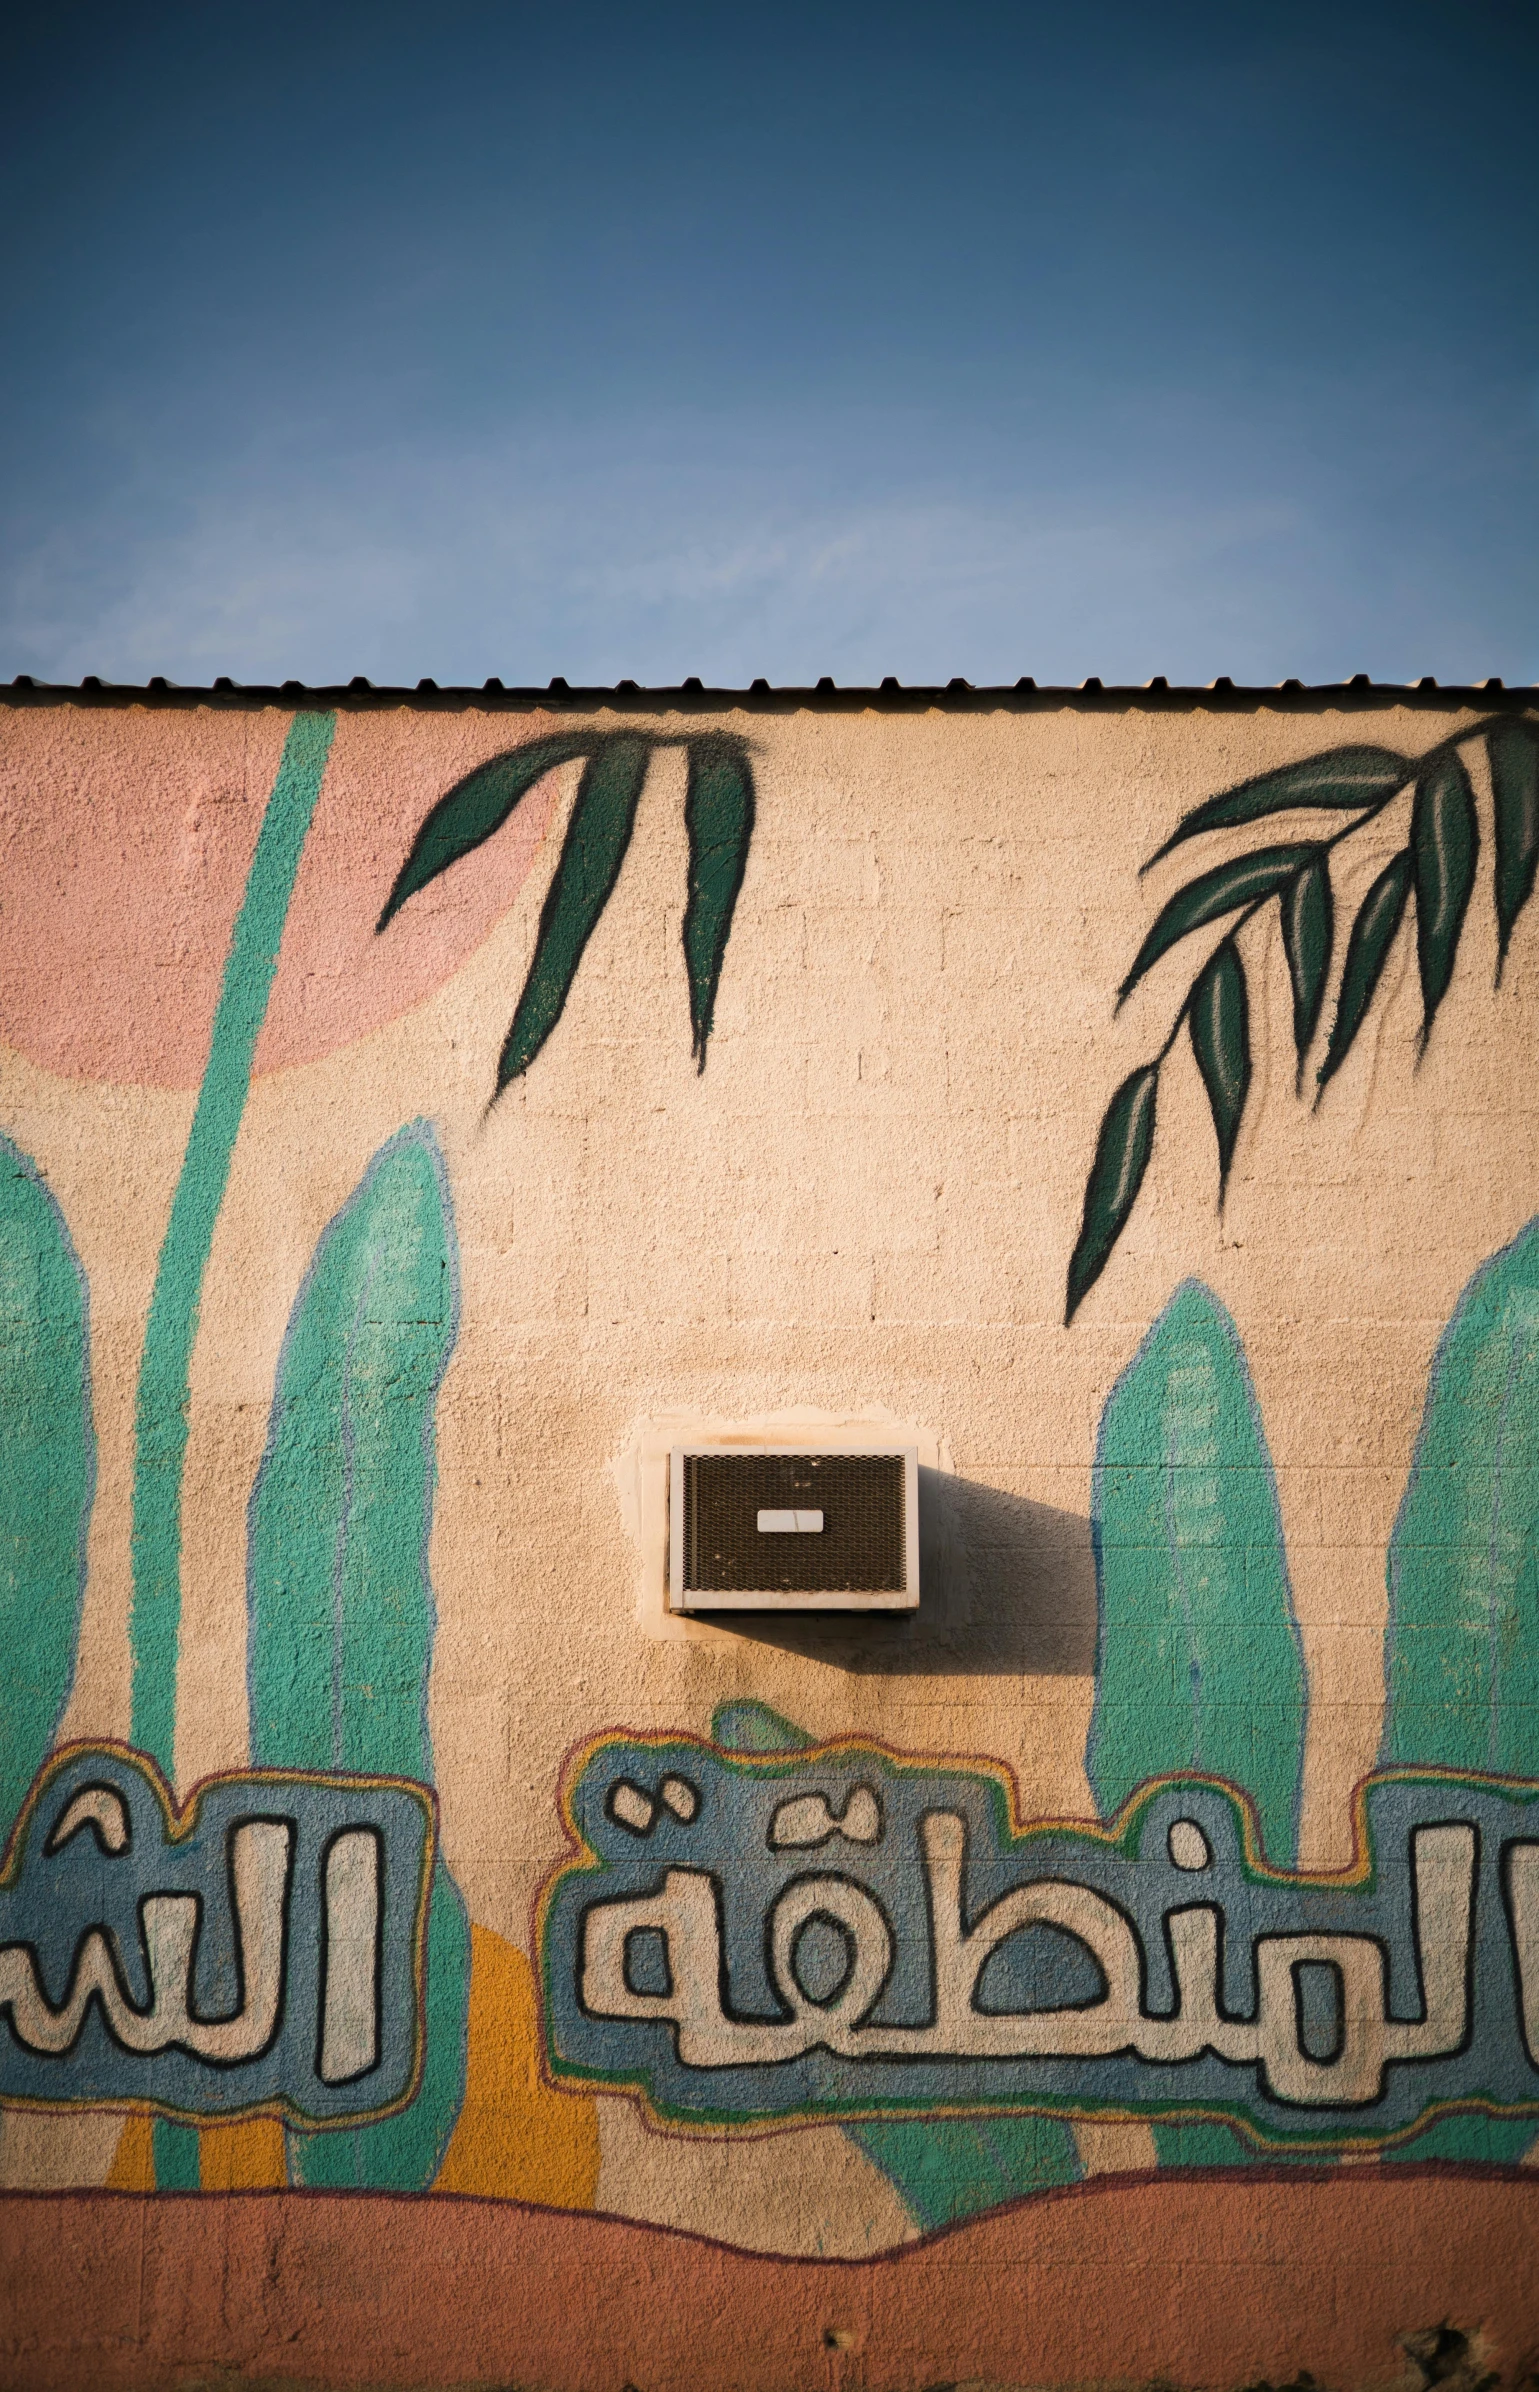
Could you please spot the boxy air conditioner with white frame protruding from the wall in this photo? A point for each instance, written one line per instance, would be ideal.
(793, 1530)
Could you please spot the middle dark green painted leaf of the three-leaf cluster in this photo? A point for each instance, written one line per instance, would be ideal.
(590, 865)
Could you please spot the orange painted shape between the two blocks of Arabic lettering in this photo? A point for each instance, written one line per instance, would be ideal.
(516, 2137)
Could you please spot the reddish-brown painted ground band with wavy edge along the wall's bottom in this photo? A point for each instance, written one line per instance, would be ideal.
(1210, 2281)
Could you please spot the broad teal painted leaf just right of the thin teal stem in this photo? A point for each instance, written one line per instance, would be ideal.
(341, 1606)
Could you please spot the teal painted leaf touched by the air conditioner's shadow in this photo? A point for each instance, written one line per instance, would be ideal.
(1198, 1659)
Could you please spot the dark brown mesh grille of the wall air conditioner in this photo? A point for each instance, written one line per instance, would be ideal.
(858, 1551)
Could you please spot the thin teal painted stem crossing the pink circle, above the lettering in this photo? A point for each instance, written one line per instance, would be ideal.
(174, 1319)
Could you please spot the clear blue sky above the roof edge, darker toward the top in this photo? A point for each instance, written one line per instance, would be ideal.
(657, 341)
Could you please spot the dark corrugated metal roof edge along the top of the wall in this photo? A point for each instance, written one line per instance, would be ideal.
(693, 697)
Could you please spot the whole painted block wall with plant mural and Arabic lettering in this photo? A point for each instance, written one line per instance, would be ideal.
(418, 1121)
